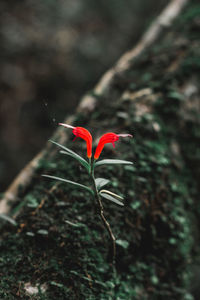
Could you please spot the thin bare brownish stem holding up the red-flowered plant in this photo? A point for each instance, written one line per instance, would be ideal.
(105, 222)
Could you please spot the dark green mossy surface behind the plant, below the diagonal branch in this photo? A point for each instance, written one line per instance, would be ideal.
(157, 230)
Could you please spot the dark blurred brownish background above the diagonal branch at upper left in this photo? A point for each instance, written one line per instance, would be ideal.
(51, 53)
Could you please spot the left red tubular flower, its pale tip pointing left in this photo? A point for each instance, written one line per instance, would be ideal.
(83, 134)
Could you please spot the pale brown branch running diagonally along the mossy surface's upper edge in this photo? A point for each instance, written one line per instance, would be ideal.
(88, 103)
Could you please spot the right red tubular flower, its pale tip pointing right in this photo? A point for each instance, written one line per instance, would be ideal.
(109, 137)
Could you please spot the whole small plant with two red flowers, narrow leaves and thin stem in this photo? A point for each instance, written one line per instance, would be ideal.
(97, 189)
